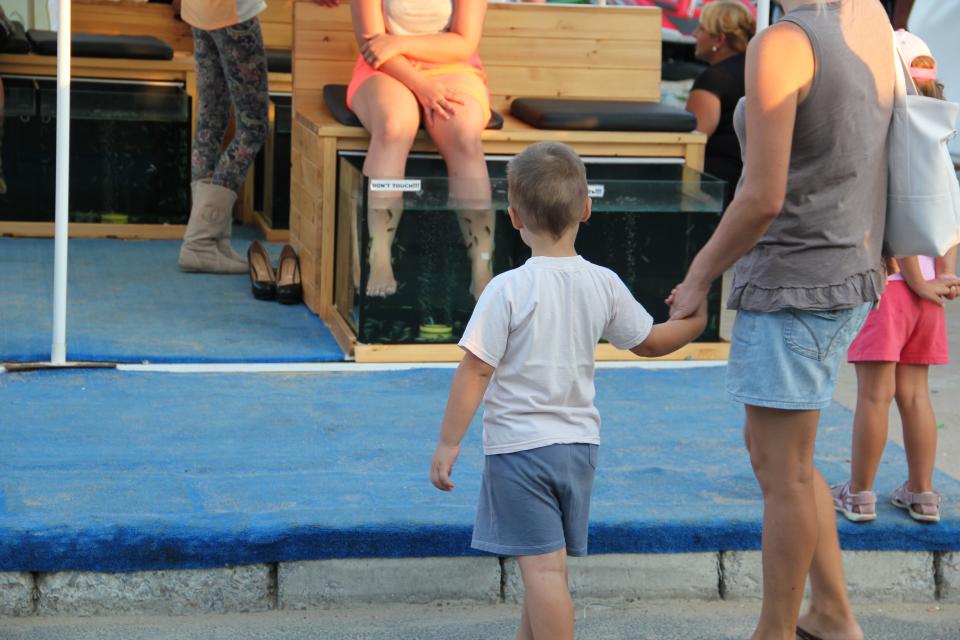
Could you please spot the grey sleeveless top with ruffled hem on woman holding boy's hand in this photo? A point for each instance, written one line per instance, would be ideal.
(823, 251)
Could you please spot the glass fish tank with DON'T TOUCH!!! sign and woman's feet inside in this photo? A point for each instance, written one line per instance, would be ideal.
(411, 255)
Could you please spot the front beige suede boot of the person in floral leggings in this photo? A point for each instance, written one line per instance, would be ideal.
(206, 244)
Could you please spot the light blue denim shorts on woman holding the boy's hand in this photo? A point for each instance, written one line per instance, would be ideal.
(789, 359)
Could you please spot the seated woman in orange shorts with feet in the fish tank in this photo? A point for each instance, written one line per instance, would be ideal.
(420, 56)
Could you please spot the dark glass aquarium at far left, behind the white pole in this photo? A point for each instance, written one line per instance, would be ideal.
(129, 151)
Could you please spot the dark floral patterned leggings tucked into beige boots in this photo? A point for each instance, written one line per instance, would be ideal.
(231, 71)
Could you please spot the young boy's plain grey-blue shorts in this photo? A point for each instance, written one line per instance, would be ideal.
(536, 501)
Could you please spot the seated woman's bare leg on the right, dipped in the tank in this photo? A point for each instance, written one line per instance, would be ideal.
(458, 140)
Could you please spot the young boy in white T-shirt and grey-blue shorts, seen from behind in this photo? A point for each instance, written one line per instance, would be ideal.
(531, 339)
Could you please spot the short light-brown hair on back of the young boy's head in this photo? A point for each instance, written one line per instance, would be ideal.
(547, 185)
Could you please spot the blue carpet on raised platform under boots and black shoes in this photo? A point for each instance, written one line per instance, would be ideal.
(128, 302)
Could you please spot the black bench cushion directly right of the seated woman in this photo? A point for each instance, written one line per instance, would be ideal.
(601, 115)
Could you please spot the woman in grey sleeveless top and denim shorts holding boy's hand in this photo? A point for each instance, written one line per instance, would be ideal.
(805, 231)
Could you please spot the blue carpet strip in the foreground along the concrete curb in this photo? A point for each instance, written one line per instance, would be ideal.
(121, 471)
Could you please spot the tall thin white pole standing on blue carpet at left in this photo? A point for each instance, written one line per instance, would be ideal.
(58, 352)
